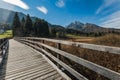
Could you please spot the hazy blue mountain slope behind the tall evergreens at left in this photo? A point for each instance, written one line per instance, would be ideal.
(6, 16)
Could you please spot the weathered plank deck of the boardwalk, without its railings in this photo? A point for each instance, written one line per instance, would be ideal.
(24, 63)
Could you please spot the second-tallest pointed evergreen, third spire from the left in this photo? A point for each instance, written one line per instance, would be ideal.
(28, 26)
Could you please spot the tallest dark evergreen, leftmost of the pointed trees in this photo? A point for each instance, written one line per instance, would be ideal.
(16, 25)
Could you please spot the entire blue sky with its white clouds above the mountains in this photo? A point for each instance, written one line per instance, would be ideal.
(105, 13)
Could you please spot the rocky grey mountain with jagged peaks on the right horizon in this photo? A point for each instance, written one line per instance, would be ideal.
(89, 27)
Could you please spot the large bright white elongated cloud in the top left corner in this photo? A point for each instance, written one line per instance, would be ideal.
(18, 3)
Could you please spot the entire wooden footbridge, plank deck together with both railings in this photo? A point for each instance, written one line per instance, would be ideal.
(30, 58)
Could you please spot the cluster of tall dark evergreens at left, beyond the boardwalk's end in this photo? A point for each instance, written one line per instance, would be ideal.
(27, 27)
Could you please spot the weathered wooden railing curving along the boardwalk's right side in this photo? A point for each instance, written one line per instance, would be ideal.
(110, 74)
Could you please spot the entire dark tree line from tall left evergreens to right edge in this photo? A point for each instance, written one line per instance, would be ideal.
(41, 28)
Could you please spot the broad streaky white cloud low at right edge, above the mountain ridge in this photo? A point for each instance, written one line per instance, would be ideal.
(112, 21)
